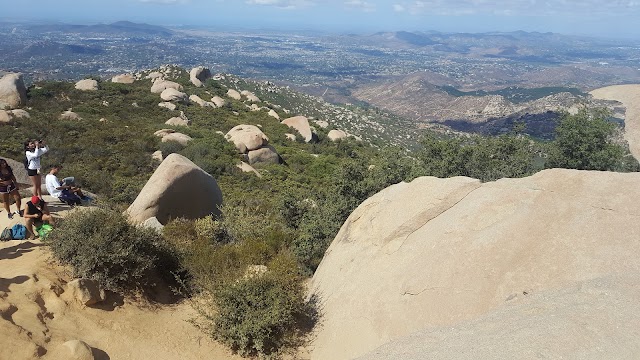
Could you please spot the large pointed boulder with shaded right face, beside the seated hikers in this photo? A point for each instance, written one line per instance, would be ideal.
(178, 188)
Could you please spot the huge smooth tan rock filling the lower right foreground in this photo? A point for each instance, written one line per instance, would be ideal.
(444, 256)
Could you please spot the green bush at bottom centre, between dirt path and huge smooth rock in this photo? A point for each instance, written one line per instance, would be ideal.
(260, 314)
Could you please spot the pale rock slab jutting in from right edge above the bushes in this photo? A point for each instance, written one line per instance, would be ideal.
(629, 96)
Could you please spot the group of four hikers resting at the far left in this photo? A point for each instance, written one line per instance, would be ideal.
(35, 211)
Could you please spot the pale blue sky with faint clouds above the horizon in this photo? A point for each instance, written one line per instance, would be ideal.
(612, 18)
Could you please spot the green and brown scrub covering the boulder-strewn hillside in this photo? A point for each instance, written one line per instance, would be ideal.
(284, 220)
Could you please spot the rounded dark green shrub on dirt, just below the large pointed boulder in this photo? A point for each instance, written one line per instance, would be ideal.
(101, 244)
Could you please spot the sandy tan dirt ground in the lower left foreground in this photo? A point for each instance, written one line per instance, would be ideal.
(36, 316)
